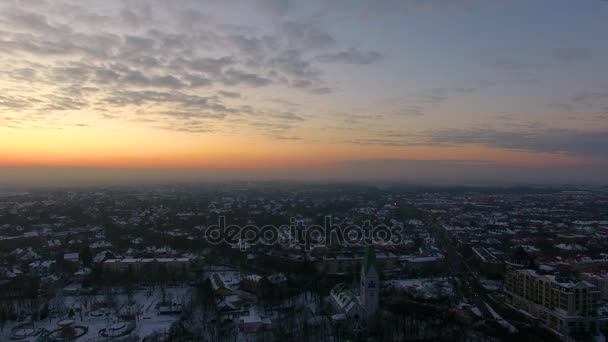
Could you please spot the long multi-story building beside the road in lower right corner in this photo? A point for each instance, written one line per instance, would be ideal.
(564, 305)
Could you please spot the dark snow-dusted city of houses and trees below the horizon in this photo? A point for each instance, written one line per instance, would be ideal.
(470, 263)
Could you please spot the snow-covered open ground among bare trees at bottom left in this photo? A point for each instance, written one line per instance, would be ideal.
(148, 321)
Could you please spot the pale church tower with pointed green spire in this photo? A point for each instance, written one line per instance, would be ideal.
(370, 287)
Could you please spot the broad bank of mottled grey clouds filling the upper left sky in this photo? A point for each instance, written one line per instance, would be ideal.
(146, 55)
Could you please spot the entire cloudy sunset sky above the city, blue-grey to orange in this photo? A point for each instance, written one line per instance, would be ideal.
(452, 90)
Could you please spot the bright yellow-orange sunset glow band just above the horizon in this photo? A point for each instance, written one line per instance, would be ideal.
(133, 147)
